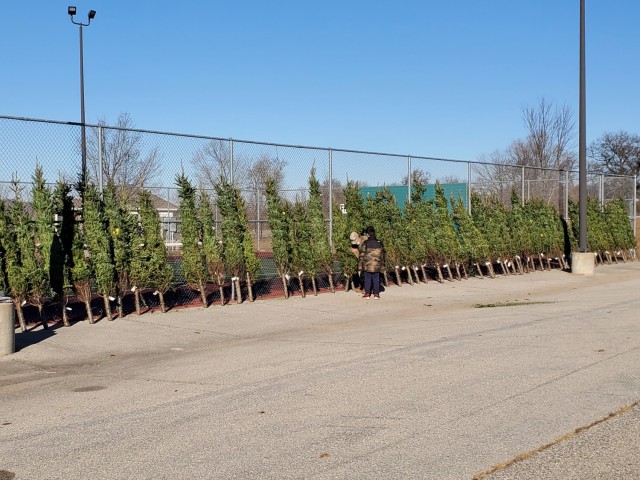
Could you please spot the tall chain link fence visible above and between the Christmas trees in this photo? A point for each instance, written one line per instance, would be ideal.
(134, 158)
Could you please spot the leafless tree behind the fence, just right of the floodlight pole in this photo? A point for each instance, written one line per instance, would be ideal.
(120, 153)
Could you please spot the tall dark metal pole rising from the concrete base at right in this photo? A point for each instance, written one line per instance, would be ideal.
(582, 141)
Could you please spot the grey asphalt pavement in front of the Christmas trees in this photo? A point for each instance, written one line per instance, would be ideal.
(518, 377)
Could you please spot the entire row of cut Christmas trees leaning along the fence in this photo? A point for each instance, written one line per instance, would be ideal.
(48, 251)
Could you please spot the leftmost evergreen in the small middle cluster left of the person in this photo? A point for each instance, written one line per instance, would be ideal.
(279, 216)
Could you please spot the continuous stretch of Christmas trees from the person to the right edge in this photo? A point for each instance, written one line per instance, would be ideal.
(440, 235)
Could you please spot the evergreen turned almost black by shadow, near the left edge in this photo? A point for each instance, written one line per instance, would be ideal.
(62, 246)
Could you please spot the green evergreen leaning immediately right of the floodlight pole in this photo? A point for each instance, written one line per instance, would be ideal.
(100, 246)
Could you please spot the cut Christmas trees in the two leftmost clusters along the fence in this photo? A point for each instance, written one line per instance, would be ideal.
(49, 251)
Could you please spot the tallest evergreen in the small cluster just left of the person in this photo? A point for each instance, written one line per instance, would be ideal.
(320, 248)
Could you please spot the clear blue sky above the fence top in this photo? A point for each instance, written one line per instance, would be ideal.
(434, 78)
